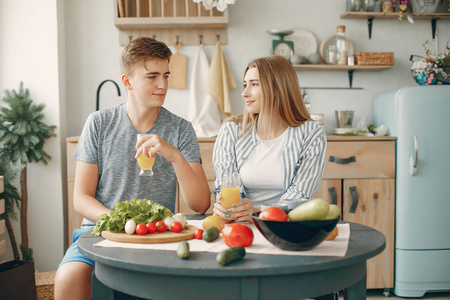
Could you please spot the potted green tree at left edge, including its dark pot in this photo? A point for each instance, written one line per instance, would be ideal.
(22, 137)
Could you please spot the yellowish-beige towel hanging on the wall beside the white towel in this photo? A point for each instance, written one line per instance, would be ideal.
(220, 82)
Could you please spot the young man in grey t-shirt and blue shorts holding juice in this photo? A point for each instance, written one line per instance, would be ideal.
(107, 171)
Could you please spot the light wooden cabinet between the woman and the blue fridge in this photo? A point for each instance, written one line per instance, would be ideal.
(360, 178)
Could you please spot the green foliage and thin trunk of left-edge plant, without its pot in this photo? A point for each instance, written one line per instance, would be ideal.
(22, 138)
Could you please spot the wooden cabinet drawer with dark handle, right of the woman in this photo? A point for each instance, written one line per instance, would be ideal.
(353, 159)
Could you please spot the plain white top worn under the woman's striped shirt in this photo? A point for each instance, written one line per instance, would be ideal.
(263, 171)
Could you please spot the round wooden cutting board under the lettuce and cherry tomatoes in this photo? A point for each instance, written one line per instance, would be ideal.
(153, 238)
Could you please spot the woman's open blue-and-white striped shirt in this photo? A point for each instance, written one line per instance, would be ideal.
(303, 157)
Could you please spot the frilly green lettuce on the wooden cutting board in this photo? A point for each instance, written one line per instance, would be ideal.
(140, 210)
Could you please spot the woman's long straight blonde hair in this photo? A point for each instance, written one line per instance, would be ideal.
(280, 93)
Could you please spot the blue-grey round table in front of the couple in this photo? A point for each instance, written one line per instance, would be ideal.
(155, 274)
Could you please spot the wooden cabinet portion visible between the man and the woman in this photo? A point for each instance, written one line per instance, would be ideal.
(206, 149)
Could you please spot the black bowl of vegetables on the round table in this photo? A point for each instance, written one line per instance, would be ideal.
(294, 235)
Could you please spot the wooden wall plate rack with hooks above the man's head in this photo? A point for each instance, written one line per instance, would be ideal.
(171, 22)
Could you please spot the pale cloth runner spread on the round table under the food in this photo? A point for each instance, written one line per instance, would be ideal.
(336, 247)
